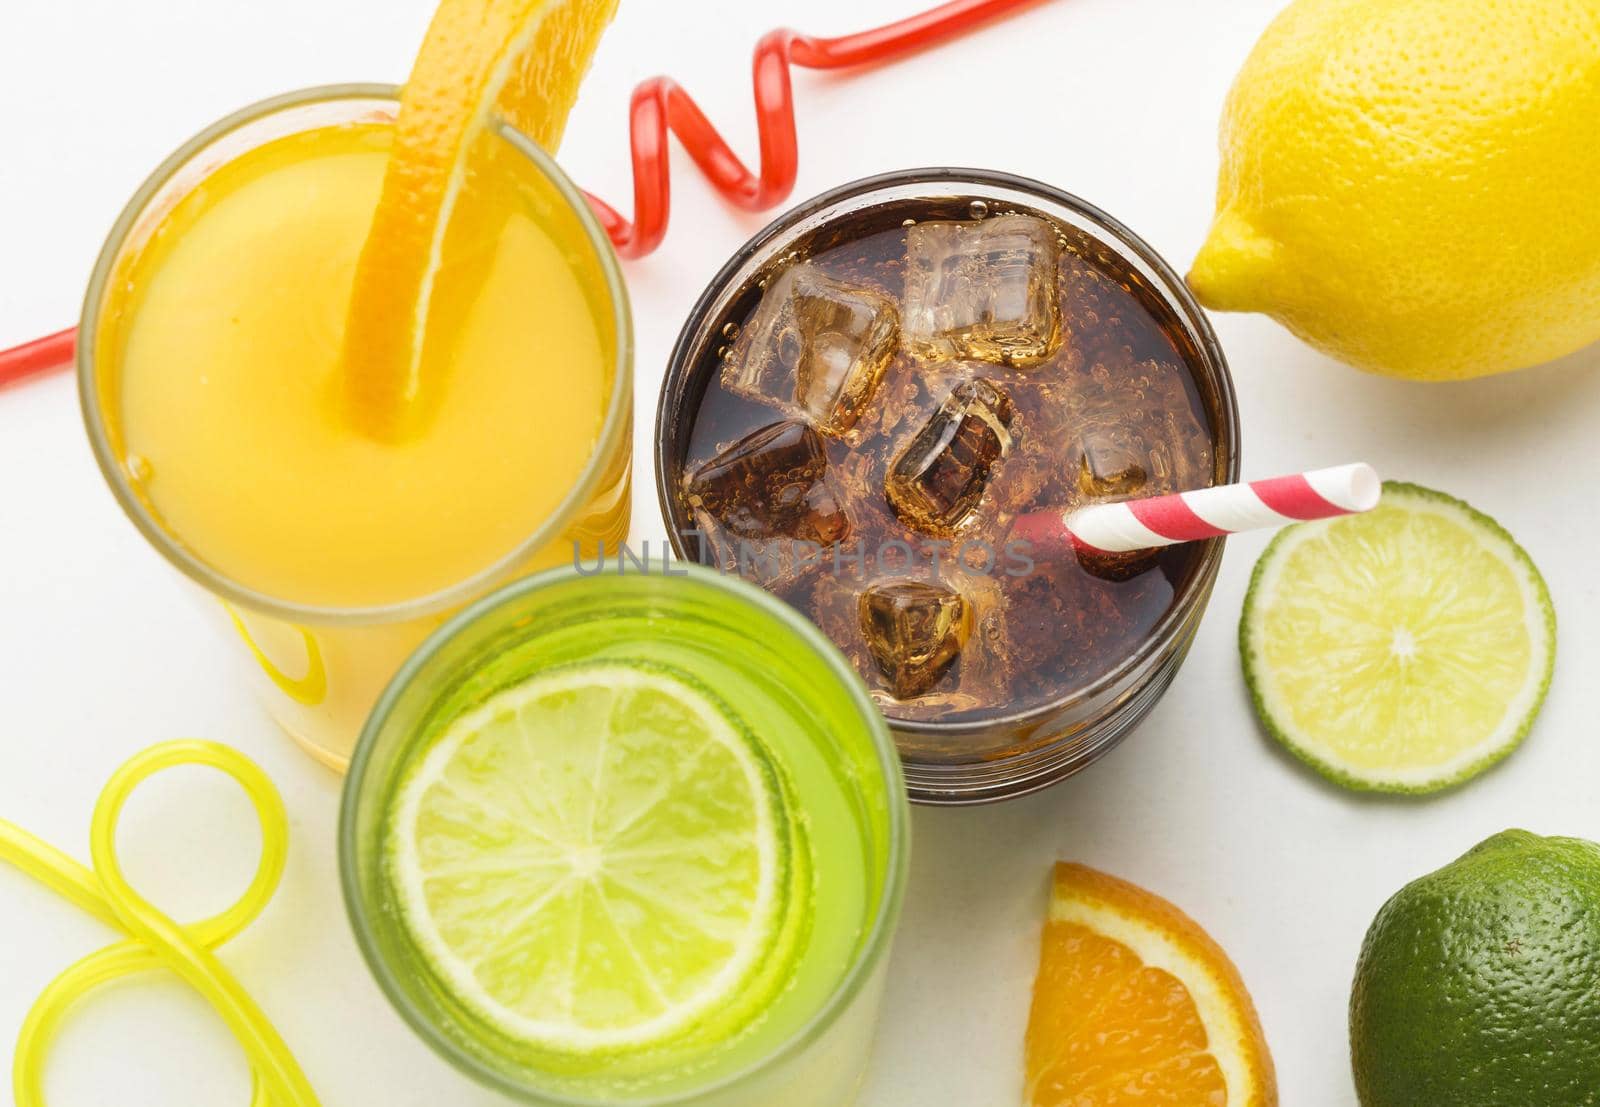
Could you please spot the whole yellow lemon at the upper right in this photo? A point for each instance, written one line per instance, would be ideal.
(1414, 186)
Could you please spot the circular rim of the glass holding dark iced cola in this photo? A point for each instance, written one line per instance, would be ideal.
(817, 212)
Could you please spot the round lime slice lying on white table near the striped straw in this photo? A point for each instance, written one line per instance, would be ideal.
(1406, 650)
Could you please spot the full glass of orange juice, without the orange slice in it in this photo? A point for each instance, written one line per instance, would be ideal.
(209, 366)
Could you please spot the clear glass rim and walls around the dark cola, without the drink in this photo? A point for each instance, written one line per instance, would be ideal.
(1009, 753)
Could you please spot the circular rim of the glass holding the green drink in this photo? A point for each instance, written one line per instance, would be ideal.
(879, 937)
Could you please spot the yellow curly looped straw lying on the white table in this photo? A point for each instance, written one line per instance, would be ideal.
(154, 940)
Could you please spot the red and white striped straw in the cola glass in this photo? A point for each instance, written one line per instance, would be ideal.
(1207, 513)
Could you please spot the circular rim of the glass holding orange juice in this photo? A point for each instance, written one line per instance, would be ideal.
(614, 428)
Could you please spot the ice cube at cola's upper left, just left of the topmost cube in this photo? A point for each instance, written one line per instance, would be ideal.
(817, 350)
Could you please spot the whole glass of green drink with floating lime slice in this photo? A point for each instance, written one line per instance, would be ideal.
(631, 841)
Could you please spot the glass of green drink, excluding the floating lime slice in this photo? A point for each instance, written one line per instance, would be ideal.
(791, 687)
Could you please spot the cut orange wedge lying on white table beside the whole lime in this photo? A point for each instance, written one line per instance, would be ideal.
(1137, 1007)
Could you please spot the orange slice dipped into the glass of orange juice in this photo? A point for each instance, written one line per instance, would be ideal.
(519, 60)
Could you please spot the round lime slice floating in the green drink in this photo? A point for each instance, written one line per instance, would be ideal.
(599, 860)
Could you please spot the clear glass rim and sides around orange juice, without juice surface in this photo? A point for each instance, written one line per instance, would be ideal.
(319, 669)
